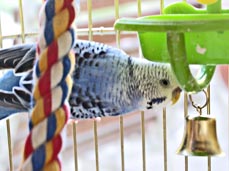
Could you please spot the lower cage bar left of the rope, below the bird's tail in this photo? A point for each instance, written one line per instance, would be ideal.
(9, 144)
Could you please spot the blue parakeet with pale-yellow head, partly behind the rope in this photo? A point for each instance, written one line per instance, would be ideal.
(106, 81)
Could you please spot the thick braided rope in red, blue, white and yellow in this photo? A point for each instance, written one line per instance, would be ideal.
(52, 86)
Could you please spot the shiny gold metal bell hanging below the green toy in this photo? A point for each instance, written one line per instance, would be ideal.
(200, 138)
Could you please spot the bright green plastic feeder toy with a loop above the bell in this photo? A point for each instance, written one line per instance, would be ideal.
(184, 35)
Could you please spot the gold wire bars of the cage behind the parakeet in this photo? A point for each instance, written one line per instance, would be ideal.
(89, 33)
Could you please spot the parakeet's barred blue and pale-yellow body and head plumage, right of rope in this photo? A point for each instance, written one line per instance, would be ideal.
(108, 82)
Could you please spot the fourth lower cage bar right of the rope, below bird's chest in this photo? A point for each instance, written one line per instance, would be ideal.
(143, 141)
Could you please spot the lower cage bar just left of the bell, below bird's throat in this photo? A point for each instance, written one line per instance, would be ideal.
(165, 139)
